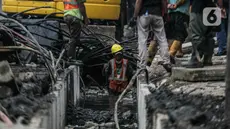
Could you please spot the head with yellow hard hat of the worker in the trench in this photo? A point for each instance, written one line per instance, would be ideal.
(117, 51)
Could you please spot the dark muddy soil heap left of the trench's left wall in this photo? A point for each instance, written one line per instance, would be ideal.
(29, 99)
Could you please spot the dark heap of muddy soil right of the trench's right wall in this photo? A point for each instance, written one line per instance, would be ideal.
(185, 111)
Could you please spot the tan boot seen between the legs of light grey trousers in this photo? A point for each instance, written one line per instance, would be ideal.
(152, 50)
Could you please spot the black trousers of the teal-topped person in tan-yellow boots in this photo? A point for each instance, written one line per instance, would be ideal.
(175, 27)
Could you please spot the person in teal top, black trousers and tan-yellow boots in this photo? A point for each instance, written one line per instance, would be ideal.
(178, 11)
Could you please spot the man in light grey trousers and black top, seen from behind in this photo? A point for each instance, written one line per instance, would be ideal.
(148, 14)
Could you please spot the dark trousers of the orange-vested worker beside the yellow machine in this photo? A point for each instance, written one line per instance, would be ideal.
(74, 25)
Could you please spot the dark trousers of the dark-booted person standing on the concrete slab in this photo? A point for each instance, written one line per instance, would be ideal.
(202, 38)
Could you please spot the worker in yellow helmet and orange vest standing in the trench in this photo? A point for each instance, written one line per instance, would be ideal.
(118, 71)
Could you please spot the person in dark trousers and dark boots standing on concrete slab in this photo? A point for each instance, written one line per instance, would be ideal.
(202, 36)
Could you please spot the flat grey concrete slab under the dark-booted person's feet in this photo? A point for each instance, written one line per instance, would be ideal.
(212, 73)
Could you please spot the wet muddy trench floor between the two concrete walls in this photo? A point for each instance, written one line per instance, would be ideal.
(96, 109)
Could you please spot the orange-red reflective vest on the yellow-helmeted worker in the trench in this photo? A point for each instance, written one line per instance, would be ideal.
(118, 82)
